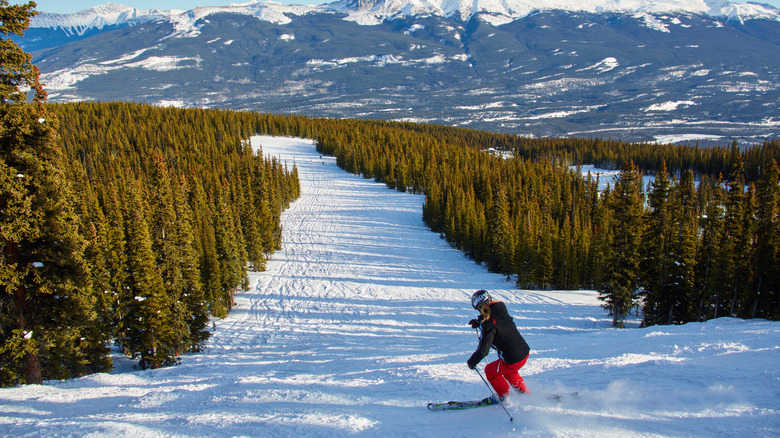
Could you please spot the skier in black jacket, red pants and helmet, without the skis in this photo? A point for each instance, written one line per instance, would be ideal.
(500, 332)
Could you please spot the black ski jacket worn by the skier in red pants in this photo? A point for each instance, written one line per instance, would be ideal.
(500, 332)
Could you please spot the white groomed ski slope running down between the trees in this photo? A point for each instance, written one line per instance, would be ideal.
(361, 320)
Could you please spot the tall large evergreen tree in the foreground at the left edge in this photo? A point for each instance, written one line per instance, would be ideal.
(45, 297)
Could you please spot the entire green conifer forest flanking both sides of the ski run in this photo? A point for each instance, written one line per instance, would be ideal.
(129, 225)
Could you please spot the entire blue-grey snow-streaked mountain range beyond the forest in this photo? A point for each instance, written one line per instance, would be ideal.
(637, 70)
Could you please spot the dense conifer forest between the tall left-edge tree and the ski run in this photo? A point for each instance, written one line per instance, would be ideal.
(175, 207)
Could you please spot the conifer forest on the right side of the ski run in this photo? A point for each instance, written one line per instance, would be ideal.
(692, 253)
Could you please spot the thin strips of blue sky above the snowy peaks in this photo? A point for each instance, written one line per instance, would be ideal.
(69, 6)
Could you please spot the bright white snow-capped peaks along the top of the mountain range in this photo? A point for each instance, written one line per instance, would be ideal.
(375, 11)
